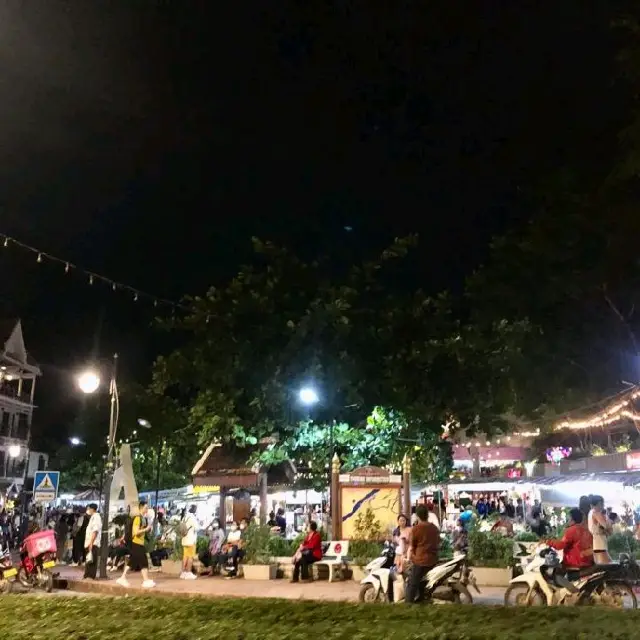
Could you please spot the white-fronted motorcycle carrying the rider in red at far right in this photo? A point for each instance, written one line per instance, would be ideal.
(544, 583)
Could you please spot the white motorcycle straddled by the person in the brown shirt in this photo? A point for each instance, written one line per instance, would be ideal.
(447, 582)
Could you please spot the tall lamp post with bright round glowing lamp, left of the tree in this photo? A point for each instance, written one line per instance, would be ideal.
(89, 382)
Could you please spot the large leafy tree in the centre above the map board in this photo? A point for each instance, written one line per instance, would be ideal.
(358, 337)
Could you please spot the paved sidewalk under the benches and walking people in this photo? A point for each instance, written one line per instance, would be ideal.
(207, 587)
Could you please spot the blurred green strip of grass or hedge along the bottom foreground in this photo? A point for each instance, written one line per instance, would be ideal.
(62, 618)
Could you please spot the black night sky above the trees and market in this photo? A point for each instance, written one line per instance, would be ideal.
(150, 140)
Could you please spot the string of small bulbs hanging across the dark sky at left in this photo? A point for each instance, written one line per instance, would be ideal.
(90, 277)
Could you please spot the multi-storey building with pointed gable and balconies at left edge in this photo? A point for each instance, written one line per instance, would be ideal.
(18, 376)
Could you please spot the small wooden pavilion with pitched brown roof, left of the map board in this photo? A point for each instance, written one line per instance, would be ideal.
(227, 466)
